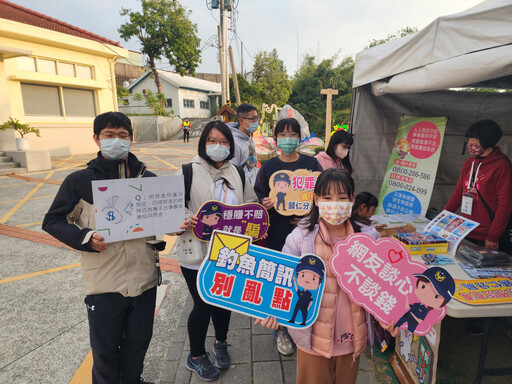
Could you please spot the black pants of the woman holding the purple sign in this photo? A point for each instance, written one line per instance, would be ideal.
(199, 318)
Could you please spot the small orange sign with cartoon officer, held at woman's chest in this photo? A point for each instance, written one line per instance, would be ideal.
(292, 192)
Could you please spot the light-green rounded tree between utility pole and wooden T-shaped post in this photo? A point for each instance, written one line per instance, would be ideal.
(269, 75)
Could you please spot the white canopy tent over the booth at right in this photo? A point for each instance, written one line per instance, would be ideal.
(418, 74)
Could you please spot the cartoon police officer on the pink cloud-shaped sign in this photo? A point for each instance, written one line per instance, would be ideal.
(434, 289)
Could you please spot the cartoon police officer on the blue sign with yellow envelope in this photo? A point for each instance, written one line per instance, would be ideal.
(310, 273)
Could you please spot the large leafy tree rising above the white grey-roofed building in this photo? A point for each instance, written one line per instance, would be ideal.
(164, 30)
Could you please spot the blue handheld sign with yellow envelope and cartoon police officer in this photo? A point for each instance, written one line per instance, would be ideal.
(261, 282)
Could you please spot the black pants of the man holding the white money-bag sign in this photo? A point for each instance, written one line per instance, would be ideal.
(120, 330)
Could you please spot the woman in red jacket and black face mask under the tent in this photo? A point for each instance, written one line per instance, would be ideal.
(484, 189)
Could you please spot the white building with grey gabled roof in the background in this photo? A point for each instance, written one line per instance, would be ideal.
(186, 96)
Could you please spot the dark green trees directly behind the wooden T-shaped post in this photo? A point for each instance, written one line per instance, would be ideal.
(311, 78)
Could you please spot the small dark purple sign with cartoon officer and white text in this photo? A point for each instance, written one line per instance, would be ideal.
(246, 219)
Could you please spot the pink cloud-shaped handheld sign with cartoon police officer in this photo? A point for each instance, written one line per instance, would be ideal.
(381, 277)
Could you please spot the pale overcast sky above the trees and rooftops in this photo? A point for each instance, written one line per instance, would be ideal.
(321, 28)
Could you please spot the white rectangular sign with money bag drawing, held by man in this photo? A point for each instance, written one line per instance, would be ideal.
(139, 207)
